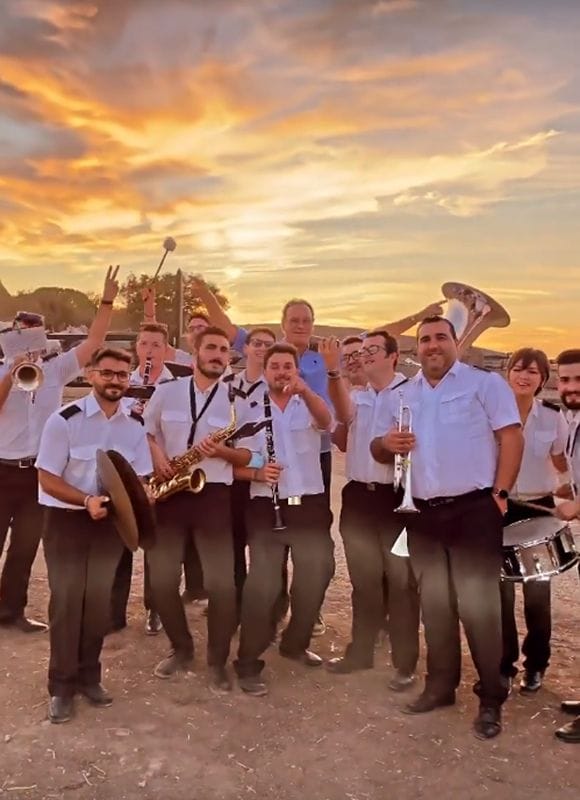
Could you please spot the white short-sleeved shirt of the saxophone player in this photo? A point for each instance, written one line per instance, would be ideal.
(168, 418)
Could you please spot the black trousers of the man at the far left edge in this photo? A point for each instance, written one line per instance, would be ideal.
(19, 511)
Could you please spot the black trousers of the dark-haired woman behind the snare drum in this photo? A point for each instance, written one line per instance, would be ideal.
(537, 609)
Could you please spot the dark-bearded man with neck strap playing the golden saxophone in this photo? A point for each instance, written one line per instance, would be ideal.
(181, 414)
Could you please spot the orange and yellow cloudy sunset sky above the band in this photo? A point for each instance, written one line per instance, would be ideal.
(356, 152)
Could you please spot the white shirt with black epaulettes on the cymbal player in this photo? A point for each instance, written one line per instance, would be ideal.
(68, 447)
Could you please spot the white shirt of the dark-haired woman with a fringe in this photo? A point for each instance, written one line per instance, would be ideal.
(545, 434)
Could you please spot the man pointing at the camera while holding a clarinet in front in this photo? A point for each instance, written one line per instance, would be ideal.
(292, 445)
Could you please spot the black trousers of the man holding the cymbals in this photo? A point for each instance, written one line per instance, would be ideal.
(81, 558)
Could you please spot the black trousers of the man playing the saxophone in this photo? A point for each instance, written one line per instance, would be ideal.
(205, 517)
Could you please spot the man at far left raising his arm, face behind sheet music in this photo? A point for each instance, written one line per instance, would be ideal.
(23, 415)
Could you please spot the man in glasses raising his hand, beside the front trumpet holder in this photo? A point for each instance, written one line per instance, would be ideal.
(368, 524)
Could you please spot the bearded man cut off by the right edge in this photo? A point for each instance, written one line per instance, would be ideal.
(569, 388)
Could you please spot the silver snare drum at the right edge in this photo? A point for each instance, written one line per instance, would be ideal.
(537, 549)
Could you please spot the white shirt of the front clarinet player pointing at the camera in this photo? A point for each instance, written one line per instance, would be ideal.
(297, 449)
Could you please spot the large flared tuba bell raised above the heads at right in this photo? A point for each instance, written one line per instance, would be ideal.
(472, 311)
